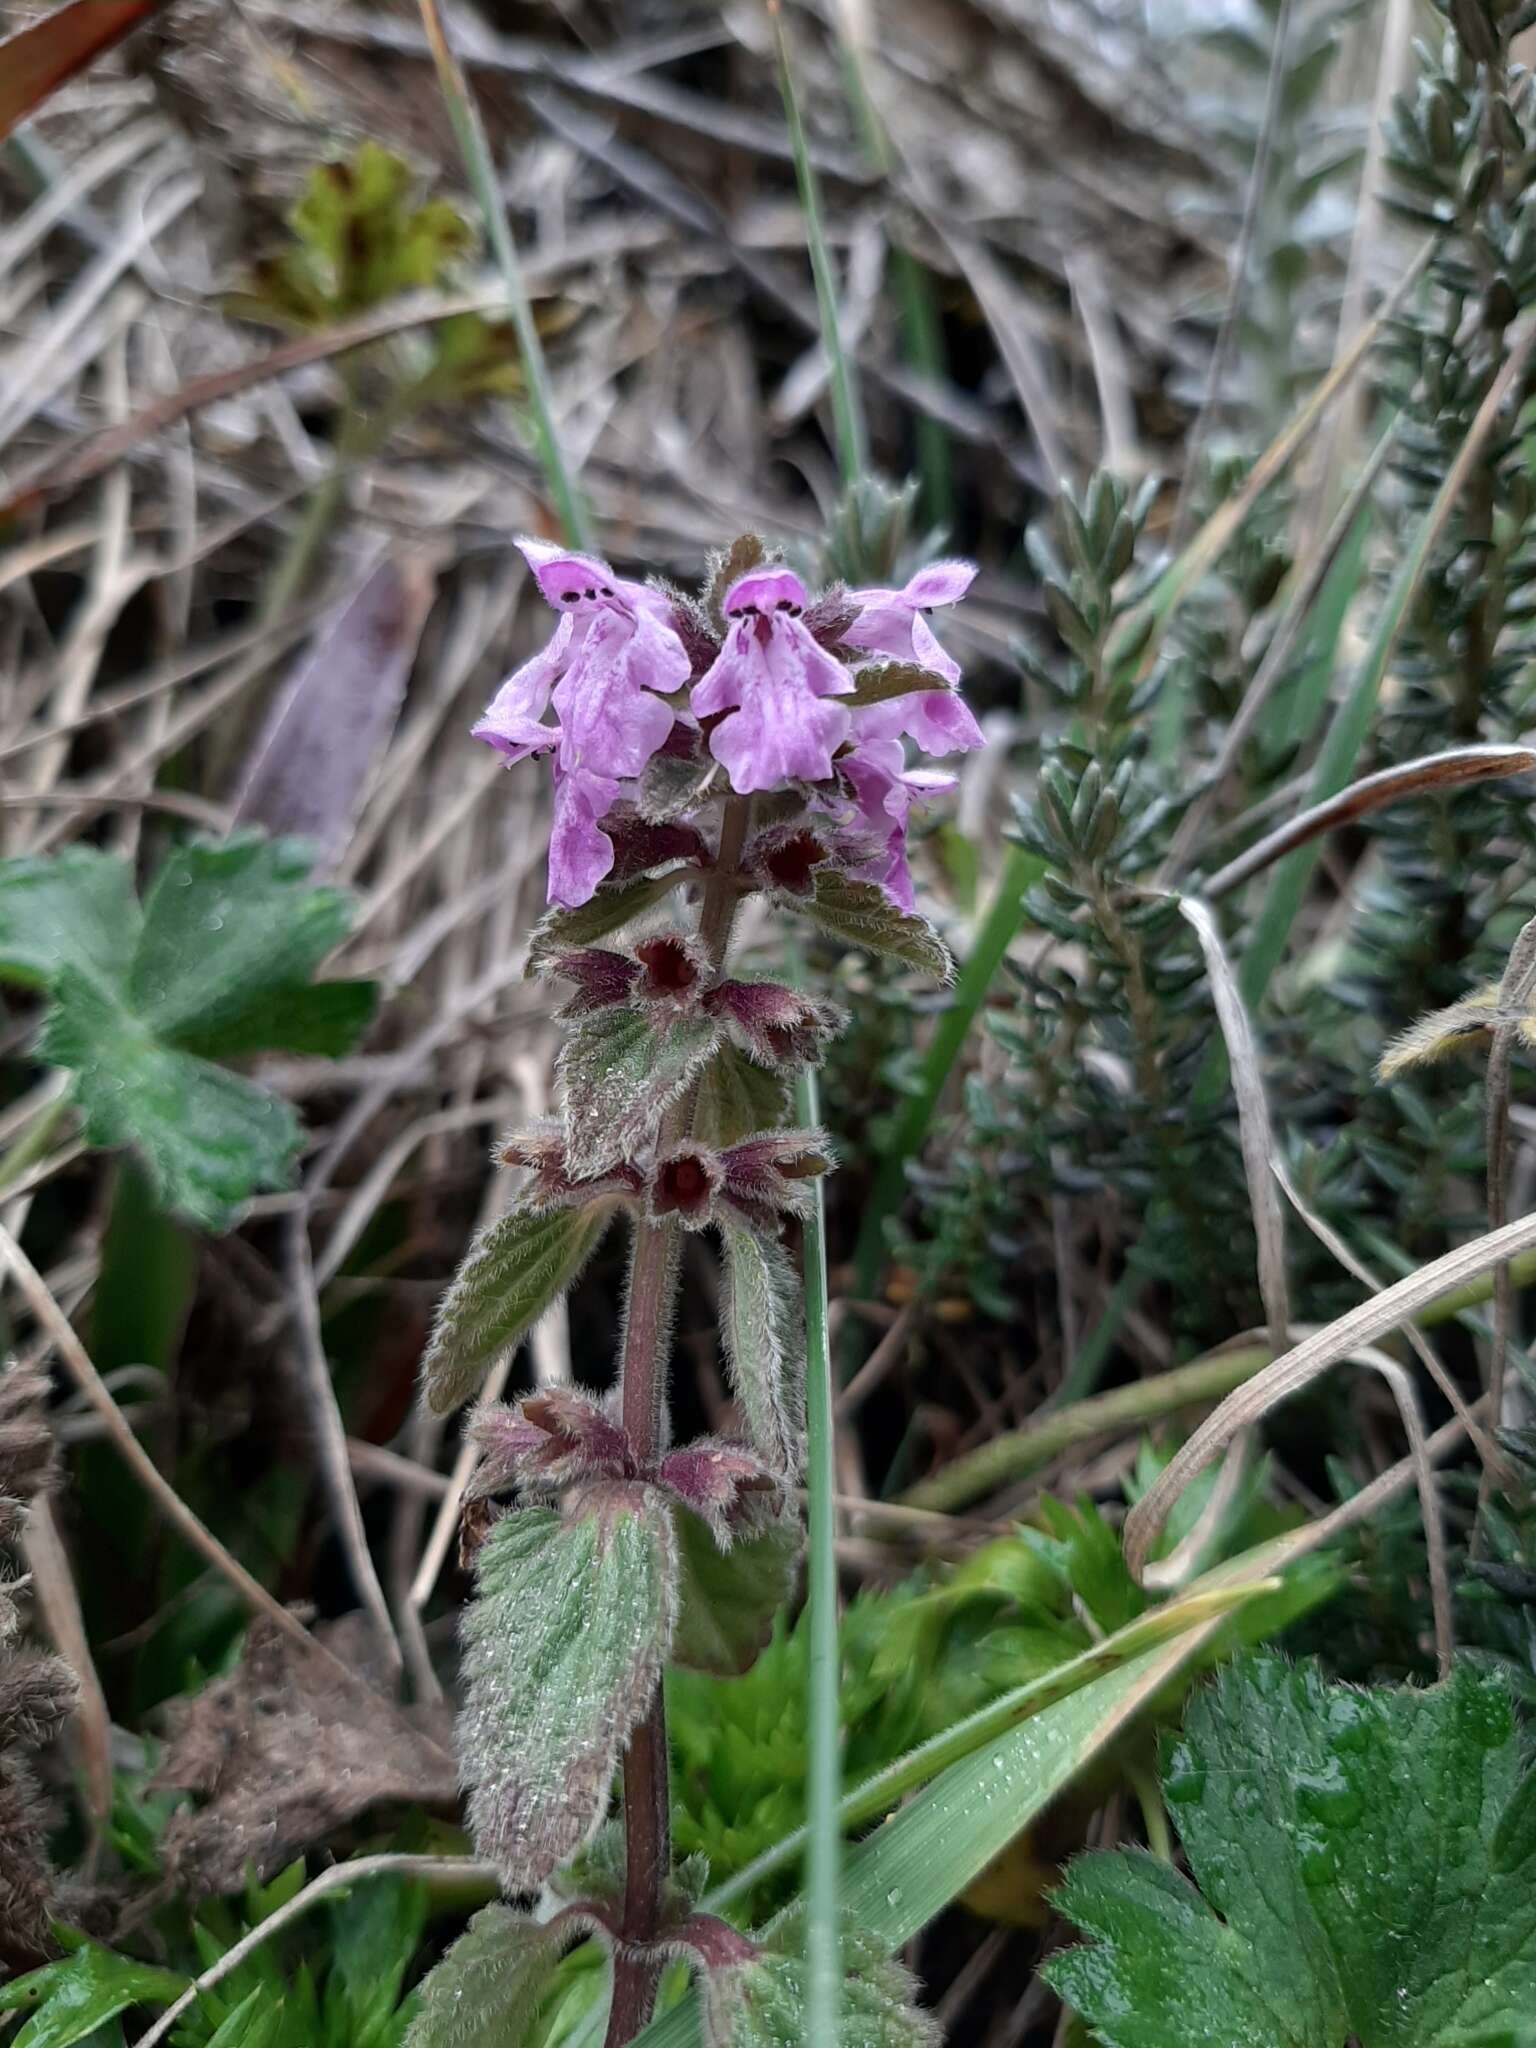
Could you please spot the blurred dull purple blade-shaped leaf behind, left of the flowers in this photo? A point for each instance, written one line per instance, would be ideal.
(329, 728)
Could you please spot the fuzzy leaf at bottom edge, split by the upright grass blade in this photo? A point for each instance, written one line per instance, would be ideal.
(763, 2004)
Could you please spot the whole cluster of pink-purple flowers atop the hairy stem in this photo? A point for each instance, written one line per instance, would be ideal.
(775, 689)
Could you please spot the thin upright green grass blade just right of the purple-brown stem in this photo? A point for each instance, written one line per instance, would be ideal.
(824, 1678)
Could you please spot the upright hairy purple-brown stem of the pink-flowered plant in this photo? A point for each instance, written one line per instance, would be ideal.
(648, 1328)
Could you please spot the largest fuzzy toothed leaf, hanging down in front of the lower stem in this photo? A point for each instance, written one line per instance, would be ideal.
(564, 1650)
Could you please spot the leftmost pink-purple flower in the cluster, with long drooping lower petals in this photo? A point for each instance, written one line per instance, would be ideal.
(607, 669)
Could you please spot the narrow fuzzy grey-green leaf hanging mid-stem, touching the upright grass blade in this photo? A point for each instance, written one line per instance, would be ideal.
(765, 1345)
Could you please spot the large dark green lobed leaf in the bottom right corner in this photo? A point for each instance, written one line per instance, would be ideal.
(1363, 1867)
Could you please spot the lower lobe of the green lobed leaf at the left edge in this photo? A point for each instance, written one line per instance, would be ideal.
(206, 1138)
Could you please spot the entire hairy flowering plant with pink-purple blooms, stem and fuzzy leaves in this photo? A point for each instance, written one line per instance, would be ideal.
(742, 746)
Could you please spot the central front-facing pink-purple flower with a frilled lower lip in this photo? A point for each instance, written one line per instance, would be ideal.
(775, 683)
